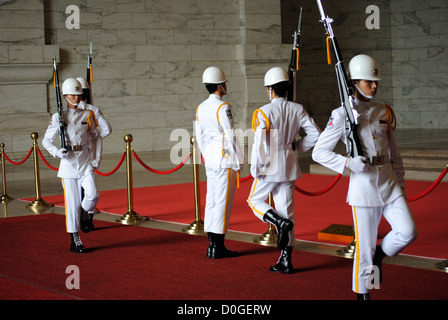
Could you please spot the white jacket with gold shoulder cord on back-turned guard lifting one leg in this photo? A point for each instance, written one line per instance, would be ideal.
(276, 127)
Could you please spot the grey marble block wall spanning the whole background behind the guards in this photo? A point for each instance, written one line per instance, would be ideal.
(149, 56)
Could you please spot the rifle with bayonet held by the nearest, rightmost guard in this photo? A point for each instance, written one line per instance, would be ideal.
(345, 86)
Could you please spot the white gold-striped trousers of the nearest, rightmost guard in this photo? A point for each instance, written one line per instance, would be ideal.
(366, 221)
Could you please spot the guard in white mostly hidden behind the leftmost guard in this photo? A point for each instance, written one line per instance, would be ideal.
(104, 130)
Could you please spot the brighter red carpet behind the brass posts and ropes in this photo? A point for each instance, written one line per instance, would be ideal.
(175, 203)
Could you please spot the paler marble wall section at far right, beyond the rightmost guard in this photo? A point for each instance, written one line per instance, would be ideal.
(420, 63)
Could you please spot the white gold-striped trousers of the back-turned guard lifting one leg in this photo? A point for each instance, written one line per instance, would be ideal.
(283, 196)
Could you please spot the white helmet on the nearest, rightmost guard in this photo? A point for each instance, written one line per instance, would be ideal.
(364, 67)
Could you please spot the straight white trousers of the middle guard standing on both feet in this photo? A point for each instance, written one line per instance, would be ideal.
(219, 200)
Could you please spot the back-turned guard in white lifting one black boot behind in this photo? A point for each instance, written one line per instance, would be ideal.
(274, 164)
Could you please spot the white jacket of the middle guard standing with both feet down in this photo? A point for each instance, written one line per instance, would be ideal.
(215, 136)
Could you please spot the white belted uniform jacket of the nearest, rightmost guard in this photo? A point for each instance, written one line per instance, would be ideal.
(379, 184)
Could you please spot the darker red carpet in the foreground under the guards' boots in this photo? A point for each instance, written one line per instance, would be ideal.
(131, 262)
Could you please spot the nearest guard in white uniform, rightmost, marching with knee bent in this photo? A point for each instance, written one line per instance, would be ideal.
(376, 180)
